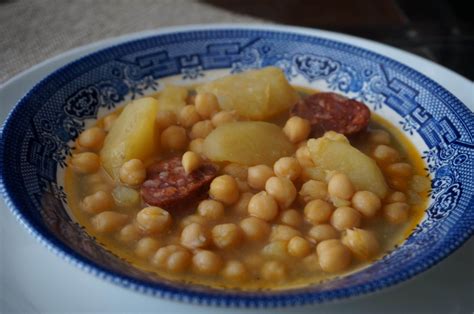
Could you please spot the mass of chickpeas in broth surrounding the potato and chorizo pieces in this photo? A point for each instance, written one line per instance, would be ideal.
(259, 225)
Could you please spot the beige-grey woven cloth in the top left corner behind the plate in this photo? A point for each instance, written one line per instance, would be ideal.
(32, 31)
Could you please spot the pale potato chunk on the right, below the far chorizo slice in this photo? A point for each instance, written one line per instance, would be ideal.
(330, 154)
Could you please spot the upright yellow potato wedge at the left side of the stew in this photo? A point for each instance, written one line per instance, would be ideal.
(132, 135)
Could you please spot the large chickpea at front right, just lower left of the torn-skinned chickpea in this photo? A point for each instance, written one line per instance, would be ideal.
(333, 256)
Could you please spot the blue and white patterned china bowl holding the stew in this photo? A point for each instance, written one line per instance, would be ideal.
(37, 137)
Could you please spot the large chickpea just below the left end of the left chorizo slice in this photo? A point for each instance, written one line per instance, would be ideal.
(153, 220)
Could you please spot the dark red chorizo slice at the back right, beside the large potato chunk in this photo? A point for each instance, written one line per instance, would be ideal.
(332, 112)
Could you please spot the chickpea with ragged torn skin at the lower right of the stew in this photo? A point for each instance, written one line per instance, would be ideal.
(362, 243)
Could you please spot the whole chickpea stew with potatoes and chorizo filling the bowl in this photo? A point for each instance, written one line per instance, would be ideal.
(246, 182)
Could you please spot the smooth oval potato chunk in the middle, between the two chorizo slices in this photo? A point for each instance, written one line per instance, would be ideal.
(248, 143)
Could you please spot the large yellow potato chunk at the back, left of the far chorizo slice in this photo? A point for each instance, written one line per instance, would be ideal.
(256, 94)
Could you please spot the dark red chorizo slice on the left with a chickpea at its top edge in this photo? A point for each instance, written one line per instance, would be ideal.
(168, 186)
